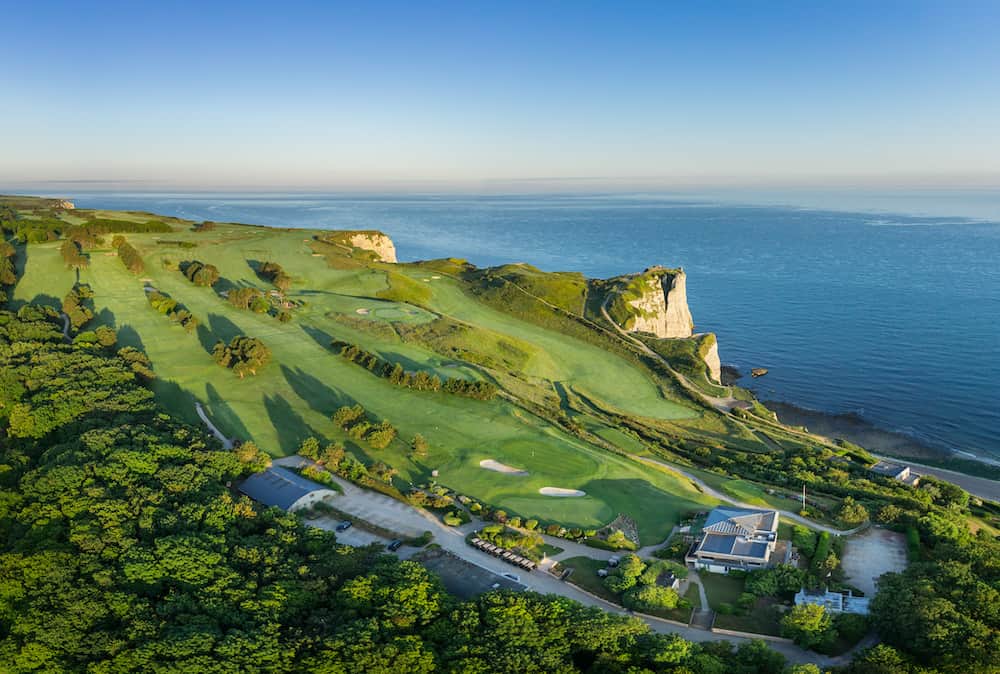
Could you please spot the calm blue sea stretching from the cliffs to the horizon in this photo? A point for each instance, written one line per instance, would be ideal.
(891, 315)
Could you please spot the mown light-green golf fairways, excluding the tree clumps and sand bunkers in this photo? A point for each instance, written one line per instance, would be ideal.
(294, 396)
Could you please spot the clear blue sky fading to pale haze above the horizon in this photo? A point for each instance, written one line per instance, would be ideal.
(499, 96)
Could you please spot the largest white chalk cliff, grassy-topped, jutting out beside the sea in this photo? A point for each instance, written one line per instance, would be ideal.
(656, 302)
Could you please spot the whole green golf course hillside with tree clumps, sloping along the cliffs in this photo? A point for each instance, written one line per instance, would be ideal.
(562, 395)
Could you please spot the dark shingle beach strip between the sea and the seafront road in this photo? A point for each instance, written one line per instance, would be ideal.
(975, 475)
